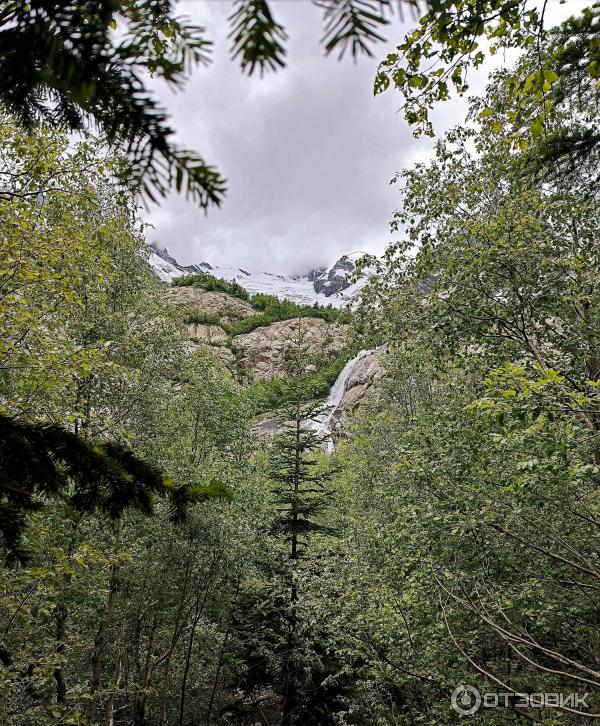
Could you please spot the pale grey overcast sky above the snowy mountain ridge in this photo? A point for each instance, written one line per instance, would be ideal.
(308, 152)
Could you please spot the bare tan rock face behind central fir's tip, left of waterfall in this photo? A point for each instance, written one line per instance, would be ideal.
(262, 352)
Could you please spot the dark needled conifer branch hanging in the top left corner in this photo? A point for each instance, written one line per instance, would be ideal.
(60, 66)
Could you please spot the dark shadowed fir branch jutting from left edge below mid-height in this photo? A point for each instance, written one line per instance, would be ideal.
(47, 460)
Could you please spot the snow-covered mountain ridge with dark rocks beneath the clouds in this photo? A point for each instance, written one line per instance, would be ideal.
(325, 285)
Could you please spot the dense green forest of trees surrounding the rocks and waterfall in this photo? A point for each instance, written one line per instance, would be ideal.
(165, 563)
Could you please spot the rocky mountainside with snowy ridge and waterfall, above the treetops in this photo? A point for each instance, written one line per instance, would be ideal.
(258, 356)
